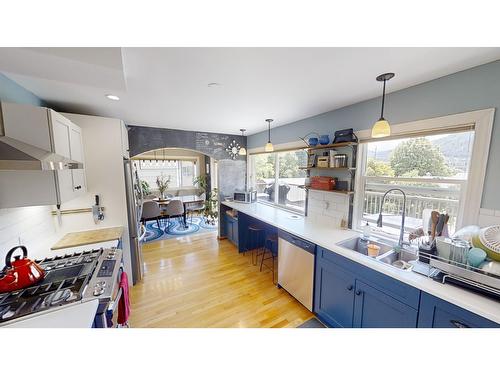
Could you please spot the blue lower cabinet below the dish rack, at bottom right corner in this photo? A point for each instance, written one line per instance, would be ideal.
(437, 313)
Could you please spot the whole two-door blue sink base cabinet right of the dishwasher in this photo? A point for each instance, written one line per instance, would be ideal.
(346, 295)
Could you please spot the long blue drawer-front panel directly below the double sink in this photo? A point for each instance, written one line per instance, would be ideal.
(396, 289)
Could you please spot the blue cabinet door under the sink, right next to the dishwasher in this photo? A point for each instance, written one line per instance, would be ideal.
(334, 295)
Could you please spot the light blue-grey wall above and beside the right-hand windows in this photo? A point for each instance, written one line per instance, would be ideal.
(472, 89)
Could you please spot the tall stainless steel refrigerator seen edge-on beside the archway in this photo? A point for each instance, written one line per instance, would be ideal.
(134, 211)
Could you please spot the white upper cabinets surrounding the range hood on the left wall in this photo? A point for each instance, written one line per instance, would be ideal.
(50, 131)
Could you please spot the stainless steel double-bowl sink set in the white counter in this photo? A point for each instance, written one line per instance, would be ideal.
(389, 252)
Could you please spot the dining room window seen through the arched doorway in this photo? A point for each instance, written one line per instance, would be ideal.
(181, 172)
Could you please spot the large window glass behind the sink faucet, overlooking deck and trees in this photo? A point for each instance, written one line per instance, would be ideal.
(432, 170)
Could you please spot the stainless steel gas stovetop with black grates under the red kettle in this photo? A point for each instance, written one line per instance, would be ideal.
(69, 279)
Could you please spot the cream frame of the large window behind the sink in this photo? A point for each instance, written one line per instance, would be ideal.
(482, 121)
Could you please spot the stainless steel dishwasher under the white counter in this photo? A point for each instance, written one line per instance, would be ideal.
(296, 267)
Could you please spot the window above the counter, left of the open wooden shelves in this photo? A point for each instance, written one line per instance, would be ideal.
(278, 179)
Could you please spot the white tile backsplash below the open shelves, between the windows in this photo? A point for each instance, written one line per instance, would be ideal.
(328, 205)
